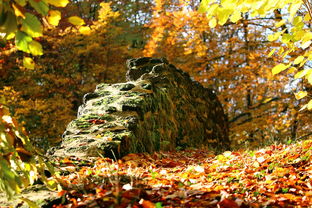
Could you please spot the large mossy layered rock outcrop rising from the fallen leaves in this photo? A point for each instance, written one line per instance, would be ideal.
(158, 108)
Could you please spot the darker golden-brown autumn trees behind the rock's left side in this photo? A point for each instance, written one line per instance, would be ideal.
(75, 59)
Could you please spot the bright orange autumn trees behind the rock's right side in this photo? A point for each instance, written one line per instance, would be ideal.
(232, 59)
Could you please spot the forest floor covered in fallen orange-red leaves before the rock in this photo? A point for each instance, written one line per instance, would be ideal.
(275, 176)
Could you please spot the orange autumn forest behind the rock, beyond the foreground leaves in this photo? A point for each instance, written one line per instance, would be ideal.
(232, 59)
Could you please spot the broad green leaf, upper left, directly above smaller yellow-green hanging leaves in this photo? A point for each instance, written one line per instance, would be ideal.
(31, 25)
